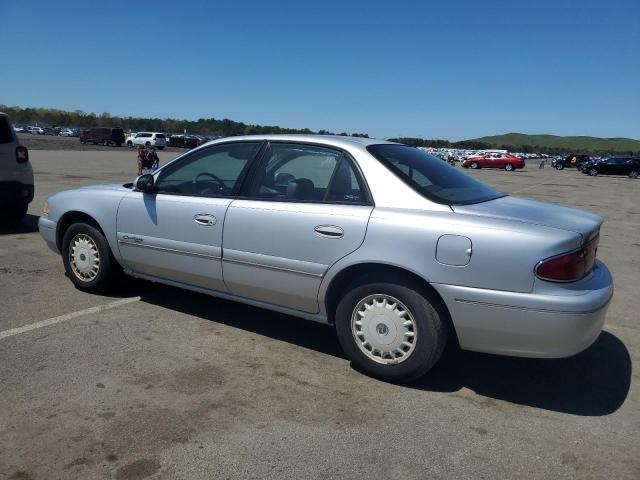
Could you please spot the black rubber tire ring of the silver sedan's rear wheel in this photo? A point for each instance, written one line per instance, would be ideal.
(431, 330)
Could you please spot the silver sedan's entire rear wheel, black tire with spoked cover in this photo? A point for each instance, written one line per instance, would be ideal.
(391, 331)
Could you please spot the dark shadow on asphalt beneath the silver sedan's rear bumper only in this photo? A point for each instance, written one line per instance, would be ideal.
(593, 383)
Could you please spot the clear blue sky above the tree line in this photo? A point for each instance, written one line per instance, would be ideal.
(436, 69)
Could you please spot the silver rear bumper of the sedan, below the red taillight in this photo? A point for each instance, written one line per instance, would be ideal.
(548, 325)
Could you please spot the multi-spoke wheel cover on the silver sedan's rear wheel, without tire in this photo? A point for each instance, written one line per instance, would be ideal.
(384, 329)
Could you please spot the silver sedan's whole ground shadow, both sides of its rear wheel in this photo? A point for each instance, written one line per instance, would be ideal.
(593, 383)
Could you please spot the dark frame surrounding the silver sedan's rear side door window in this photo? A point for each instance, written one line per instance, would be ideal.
(251, 176)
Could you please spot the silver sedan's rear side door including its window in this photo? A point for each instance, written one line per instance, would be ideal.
(303, 208)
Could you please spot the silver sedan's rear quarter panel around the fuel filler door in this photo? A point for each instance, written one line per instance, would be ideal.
(504, 253)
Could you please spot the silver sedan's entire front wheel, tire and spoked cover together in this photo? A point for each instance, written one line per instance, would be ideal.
(87, 258)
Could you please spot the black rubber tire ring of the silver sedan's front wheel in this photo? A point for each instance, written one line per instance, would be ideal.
(108, 268)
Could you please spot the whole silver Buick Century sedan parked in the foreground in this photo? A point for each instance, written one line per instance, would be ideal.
(396, 249)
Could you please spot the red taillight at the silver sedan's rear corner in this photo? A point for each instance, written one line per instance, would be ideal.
(571, 266)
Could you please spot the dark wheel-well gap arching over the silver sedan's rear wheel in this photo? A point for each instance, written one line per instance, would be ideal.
(383, 272)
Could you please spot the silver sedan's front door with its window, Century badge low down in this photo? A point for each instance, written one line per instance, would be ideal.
(175, 233)
